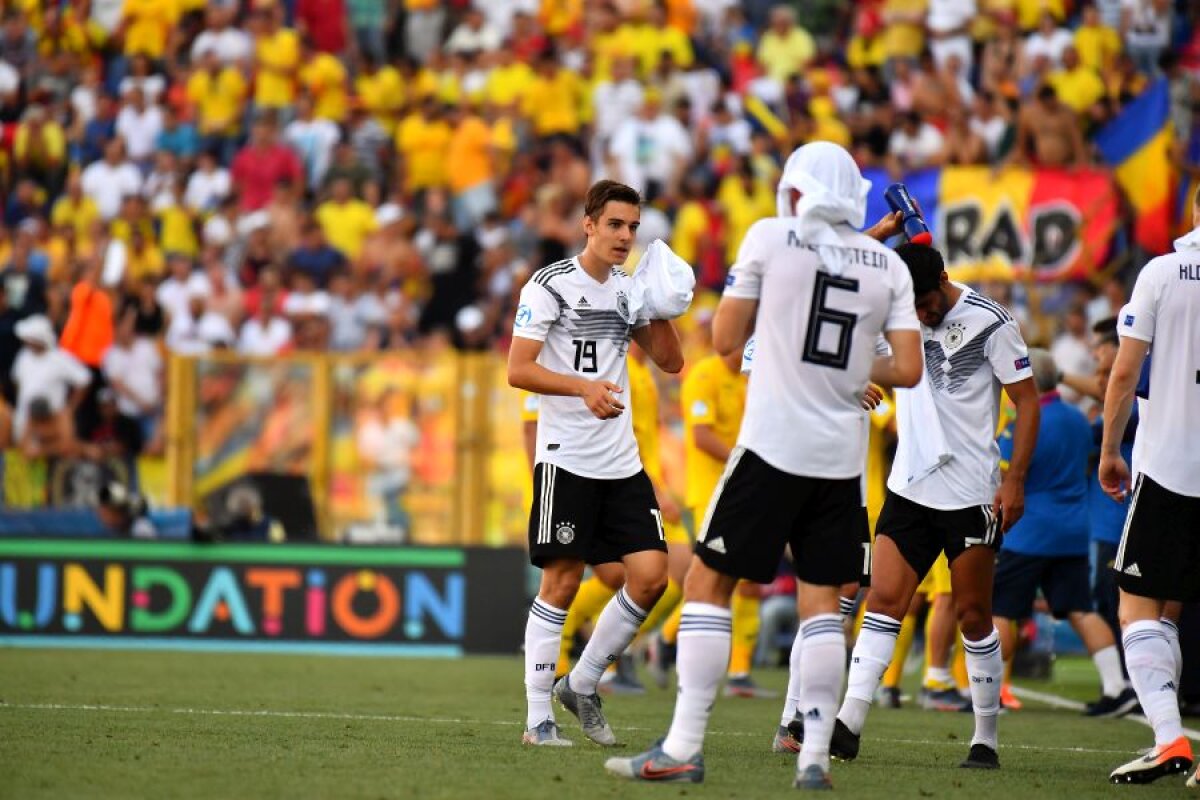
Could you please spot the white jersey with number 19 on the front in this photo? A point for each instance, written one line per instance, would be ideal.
(586, 328)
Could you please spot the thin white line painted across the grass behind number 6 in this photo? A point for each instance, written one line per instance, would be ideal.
(397, 718)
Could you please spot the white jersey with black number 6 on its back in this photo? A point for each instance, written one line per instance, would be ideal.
(815, 344)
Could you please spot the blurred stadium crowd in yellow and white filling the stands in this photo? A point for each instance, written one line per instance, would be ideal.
(279, 176)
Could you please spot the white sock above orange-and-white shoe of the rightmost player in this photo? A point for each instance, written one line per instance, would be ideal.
(1153, 672)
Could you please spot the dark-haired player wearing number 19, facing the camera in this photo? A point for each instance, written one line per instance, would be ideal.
(593, 502)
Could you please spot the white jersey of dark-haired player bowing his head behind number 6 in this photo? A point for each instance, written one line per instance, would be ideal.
(969, 358)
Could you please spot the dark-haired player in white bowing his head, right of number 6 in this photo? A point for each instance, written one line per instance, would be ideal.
(946, 495)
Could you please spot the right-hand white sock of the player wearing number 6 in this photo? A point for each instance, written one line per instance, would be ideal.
(823, 672)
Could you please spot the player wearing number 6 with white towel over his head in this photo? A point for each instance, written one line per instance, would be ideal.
(817, 293)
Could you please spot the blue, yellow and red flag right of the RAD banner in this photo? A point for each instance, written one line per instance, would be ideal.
(1137, 145)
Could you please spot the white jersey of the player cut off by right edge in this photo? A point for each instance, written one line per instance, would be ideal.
(1165, 311)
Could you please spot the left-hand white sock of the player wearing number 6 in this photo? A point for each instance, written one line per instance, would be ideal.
(706, 633)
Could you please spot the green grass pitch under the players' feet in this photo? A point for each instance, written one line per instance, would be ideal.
(158, 725)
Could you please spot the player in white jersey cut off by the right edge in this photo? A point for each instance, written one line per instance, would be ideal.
(1159, 560)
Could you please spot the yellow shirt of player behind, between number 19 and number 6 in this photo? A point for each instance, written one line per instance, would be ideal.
(716, 396)
